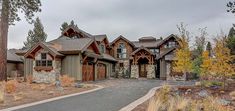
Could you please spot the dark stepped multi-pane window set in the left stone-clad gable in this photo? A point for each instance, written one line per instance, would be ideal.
(44, 61)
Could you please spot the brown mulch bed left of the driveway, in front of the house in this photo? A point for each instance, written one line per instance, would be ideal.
(32, 93)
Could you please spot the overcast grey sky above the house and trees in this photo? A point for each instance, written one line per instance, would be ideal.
(130, 18)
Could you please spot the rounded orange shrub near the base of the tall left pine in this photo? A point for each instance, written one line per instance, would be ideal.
(10, 86)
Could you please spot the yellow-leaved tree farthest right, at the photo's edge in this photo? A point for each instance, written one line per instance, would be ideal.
(222, 63)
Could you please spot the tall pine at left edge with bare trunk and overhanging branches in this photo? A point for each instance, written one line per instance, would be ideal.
(9, 14)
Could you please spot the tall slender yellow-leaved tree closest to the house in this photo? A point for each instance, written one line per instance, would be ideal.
(183, 62)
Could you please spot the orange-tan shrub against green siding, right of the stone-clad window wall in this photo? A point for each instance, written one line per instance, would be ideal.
(66, 81)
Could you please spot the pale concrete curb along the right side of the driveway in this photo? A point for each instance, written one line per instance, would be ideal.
(139, 101)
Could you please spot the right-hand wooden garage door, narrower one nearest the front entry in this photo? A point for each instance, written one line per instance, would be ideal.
(101, 71)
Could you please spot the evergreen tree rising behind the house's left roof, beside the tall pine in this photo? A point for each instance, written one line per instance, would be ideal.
(36, 35)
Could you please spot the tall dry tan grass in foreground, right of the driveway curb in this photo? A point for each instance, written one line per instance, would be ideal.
(166, 100)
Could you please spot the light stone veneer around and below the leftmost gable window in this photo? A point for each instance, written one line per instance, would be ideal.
(47, 76)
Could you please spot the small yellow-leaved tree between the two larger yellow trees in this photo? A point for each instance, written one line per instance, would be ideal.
(206, 65)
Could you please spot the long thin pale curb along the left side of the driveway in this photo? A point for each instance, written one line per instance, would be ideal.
(51, 99)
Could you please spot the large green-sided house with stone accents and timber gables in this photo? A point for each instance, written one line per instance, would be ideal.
(87, 57)
